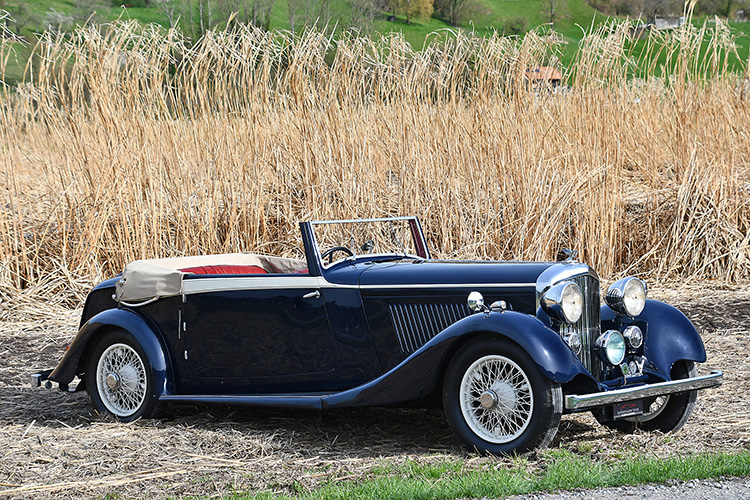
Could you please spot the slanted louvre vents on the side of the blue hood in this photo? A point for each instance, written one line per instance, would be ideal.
(416, 324)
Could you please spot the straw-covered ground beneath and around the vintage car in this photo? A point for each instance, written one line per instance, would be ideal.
(53, 443)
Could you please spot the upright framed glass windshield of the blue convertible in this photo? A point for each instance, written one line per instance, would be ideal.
(389, 238)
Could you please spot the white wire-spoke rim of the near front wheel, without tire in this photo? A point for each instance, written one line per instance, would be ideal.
(496, 399)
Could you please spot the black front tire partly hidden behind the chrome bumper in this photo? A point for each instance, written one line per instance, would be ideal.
(665, 413)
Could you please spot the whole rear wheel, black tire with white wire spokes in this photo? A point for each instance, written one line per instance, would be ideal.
(118, 378)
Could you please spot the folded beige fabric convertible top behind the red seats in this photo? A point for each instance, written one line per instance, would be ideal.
(148, 280)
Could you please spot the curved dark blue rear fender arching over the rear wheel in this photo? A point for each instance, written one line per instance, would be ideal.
(145, 334)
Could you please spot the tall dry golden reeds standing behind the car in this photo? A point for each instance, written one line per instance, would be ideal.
(128, 142)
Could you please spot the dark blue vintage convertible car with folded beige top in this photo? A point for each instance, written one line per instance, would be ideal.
(384, 324)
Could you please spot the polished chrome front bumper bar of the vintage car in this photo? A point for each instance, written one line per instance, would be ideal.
(598, 399)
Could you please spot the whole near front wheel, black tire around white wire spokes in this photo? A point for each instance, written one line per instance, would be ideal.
(520, 410)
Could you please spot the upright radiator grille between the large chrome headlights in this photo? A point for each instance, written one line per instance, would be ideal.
(588, 327)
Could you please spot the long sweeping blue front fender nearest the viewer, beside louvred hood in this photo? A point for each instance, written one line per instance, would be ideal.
(417, 375)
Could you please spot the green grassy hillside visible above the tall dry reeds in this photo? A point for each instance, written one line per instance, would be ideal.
(483, 17)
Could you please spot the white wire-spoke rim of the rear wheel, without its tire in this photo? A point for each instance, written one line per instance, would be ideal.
(121, 380)
